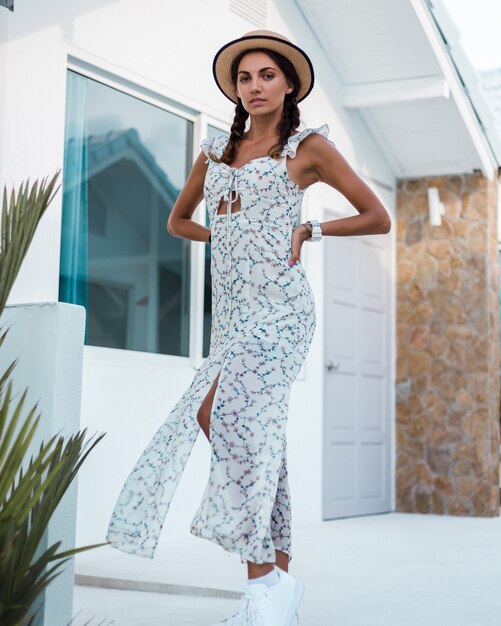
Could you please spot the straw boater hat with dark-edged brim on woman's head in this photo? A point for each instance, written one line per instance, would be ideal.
(221, 66)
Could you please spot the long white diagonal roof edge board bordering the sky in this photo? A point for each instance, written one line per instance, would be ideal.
(485, 153)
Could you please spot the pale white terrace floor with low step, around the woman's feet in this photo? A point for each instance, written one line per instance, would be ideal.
(385, 570)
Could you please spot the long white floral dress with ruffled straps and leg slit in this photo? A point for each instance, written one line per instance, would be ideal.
(263, 321)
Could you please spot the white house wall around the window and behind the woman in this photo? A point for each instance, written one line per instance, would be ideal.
(166, 47)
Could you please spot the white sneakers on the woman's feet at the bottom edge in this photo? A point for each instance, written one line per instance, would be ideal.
(269, 606)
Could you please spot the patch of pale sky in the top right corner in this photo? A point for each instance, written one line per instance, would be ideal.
(479, 24)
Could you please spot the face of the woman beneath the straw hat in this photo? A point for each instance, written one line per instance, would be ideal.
(261, 84)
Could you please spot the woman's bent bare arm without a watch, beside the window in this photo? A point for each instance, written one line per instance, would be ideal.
(180, 223)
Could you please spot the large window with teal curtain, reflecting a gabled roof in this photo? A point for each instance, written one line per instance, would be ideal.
(124, 164)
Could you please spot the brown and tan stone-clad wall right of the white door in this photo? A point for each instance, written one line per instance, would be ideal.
(448, 348)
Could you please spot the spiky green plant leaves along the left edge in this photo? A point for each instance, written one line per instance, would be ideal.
(29, 493)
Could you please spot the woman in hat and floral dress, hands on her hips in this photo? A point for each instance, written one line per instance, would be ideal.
(263, 320)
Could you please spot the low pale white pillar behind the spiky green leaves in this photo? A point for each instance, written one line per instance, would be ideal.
(48, 339)
